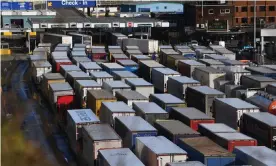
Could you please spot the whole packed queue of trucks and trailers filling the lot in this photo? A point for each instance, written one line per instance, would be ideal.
(126, 109)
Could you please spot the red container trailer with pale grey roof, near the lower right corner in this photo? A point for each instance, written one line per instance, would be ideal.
(231, 140)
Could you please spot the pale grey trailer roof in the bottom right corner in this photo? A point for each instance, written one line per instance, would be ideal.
(261, 153)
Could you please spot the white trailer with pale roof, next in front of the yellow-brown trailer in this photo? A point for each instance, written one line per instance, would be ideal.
(111, 110)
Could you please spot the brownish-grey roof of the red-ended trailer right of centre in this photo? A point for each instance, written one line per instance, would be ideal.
(191, 113)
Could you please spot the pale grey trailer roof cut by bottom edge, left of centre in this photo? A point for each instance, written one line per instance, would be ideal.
(120, 157)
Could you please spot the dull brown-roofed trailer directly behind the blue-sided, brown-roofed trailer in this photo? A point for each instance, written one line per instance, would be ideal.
(174, 129)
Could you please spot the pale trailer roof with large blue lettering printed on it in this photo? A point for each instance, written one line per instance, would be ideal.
(83, 116)
